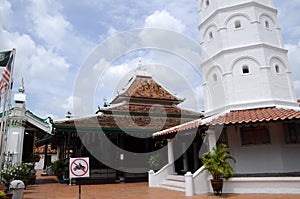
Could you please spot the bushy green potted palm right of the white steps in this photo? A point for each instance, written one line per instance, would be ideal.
(216, 162)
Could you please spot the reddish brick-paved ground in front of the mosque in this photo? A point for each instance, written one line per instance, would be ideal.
(54, 190)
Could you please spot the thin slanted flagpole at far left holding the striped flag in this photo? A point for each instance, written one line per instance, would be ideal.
(6, 106)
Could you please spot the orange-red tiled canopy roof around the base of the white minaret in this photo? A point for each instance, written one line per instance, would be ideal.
(239, 117)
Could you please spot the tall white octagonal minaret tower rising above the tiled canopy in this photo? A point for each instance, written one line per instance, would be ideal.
(244, 63)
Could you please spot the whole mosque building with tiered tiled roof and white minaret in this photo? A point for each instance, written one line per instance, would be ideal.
(250, 104)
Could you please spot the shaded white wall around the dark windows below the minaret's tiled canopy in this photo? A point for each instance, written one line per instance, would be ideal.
(276, 157)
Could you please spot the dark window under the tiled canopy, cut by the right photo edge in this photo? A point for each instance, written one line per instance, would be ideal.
(292, 132)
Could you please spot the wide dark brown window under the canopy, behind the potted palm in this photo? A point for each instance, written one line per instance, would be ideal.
(255, 135)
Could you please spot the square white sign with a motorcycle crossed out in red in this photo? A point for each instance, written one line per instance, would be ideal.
(79, 168)
